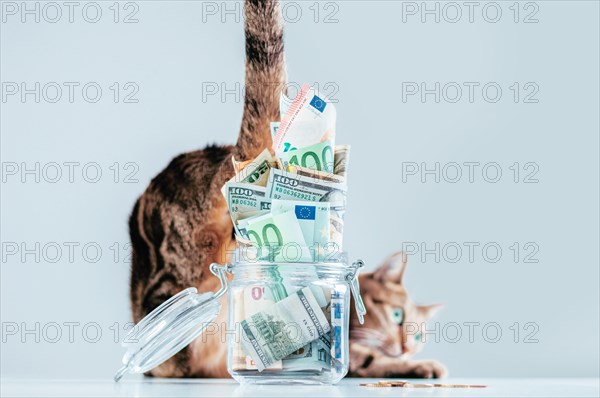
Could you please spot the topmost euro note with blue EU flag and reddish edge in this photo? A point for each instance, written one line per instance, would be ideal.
(310, 119)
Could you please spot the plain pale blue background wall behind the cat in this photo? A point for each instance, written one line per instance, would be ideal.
(365, 56)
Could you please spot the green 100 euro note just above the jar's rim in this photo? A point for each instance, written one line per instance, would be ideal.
(282, 233)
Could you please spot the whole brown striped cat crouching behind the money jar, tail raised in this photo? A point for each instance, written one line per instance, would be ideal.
(181, 224)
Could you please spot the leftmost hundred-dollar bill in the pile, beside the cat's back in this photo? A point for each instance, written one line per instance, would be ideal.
(245, 200)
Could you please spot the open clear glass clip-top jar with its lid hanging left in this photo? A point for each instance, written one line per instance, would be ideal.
(287, 323)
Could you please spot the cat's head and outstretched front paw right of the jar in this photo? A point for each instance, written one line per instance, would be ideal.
(391, 333)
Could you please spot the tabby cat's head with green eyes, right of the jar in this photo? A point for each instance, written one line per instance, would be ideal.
(393, 323)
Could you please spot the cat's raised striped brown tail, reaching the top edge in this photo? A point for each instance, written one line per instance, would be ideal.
(266, 76)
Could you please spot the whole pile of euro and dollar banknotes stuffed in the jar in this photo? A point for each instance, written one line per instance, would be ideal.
(288, 204)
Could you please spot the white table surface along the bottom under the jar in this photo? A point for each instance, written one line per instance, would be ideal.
(147, 387)
